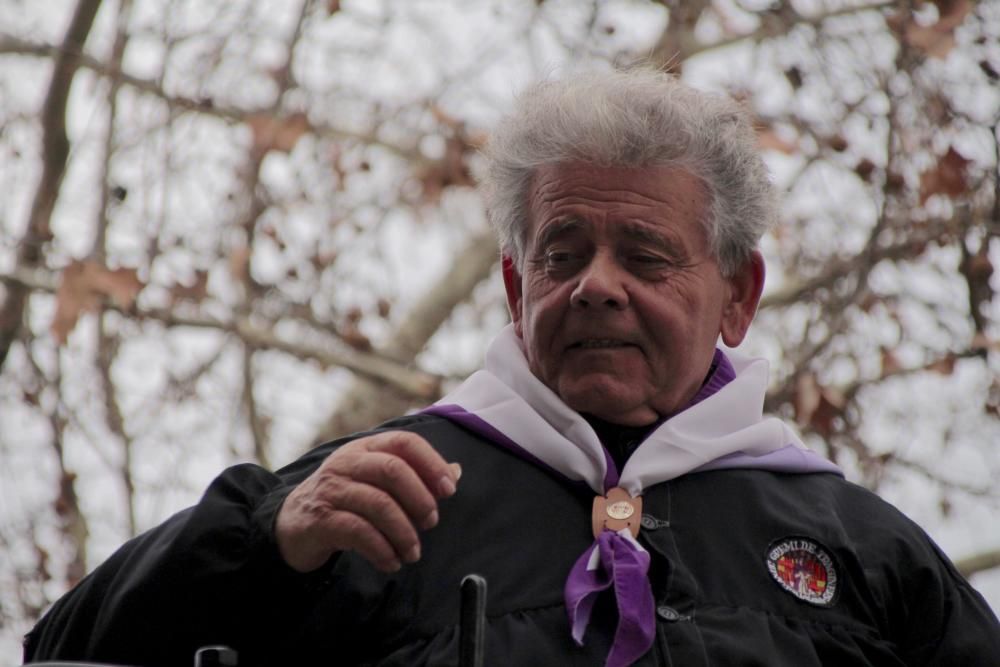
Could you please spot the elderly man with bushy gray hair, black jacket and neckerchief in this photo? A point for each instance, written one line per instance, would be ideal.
(620, 490)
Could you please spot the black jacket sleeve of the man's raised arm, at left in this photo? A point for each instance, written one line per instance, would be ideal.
(211, 574)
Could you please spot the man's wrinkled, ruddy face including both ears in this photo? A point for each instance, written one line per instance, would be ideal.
(620, 302)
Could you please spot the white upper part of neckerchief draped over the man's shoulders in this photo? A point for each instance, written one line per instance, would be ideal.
(725, 430)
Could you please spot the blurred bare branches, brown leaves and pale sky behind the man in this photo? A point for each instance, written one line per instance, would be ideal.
(231, 229)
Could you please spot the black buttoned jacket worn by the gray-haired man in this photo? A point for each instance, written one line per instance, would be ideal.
(212, 575)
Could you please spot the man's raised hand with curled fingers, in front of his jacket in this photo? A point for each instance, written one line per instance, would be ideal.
(372, 496)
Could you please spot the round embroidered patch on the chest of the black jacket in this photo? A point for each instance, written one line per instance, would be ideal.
(803, 568)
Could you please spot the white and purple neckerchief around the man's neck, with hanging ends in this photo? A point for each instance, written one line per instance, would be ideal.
(723, 427)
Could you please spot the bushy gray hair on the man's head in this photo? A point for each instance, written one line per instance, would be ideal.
(633, 118)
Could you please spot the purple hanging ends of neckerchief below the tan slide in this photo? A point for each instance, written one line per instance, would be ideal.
(623, 566)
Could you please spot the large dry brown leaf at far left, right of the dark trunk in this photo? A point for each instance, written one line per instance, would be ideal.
(82, 287)
